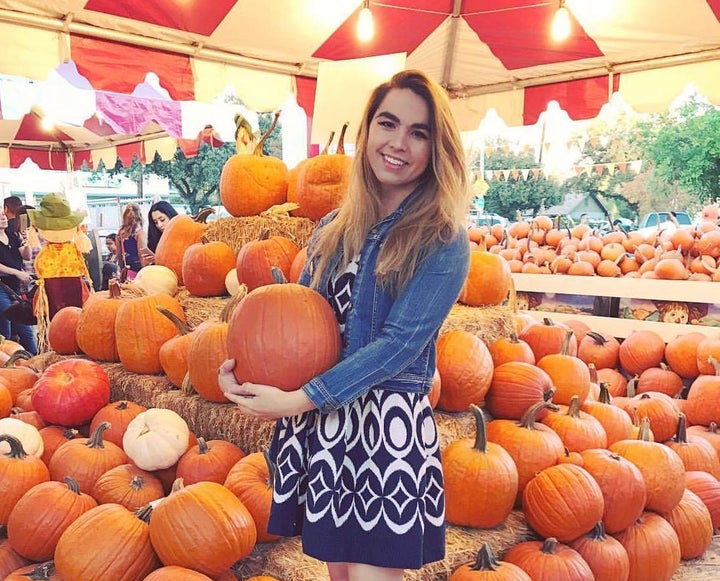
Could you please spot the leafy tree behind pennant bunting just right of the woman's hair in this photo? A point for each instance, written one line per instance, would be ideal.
(507, 197)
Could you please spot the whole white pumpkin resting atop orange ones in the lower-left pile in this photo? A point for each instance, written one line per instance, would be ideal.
(156, 438)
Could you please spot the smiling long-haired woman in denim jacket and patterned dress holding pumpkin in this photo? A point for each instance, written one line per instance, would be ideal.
(359, 473)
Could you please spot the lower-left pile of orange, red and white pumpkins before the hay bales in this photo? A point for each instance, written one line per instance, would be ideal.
(133, 495)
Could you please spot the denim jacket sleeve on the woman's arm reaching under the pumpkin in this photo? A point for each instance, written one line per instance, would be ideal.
(411, 324)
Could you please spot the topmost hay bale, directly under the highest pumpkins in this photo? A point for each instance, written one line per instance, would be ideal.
(238, 231)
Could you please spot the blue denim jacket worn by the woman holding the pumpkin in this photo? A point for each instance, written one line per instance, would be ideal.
(389, 343)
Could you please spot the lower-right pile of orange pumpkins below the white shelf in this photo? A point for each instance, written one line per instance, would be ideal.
(611, 449)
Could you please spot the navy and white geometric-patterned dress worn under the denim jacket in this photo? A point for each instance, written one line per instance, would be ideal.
(362, 484)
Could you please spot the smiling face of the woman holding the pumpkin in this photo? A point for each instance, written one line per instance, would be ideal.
(399, 142)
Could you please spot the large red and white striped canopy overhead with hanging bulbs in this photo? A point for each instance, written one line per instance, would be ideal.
(487, 53)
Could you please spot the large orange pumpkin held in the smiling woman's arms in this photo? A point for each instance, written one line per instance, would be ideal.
(283, 335)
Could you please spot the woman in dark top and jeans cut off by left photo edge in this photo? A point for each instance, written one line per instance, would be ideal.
(13, 249)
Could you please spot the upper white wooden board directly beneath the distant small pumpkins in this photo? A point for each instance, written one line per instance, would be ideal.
(641, 288)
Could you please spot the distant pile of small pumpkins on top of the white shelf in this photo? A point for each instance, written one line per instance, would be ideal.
(539, 246)
